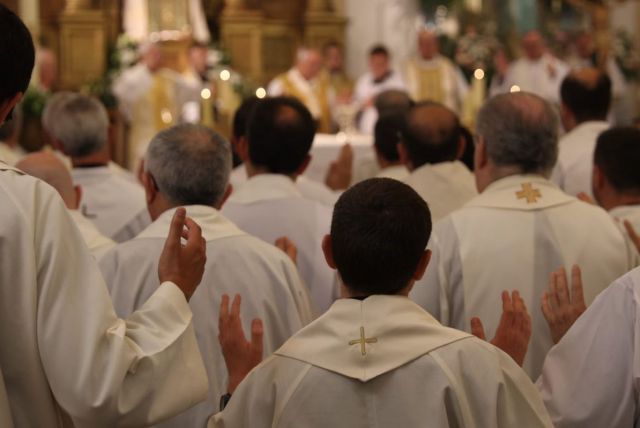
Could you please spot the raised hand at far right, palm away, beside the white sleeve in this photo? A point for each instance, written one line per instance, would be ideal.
(560, 309)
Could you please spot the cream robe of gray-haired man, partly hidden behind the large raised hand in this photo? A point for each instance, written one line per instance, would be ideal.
(236, 264)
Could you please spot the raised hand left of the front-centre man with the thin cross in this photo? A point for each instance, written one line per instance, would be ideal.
(240, 355)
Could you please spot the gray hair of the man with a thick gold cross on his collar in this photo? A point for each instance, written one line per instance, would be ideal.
(520, 130)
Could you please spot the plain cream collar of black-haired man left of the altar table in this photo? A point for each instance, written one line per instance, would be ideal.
(264, 187)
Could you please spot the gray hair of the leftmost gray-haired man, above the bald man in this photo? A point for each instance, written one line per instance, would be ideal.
(81, 125)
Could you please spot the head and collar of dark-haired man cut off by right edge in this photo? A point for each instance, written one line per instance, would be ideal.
(616, 178)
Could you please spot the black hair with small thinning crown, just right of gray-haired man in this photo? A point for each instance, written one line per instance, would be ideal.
(281, 131)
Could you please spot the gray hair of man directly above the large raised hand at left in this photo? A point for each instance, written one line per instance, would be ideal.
(190, 164)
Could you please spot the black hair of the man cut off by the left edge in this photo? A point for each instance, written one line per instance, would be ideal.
(17, 55)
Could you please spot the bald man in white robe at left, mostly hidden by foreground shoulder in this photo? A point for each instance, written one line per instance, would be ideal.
(50, 169)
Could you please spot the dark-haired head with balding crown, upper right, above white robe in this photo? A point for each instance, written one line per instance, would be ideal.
(586, 94)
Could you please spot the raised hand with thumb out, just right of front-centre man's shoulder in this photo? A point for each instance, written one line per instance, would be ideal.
(514, 330)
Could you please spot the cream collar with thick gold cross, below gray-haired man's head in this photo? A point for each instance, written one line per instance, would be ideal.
(505, 193)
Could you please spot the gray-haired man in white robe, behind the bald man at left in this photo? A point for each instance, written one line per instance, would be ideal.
(112, 202)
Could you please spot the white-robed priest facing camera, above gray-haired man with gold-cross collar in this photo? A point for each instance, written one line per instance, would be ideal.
(538, 72)
